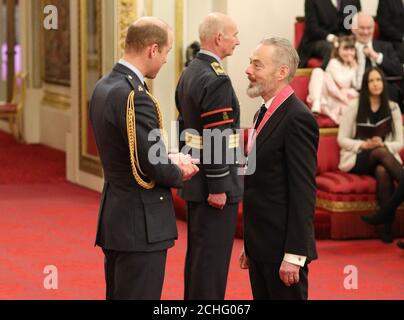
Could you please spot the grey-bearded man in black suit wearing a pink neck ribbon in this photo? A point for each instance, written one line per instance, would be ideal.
(280, 196)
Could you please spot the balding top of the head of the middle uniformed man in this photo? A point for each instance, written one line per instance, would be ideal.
(213, 24)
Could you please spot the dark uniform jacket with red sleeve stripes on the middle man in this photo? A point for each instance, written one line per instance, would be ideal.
(206, 101)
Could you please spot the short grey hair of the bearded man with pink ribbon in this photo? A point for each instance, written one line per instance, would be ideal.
(285, 54)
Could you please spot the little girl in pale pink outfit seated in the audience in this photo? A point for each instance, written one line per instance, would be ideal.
(331, 91)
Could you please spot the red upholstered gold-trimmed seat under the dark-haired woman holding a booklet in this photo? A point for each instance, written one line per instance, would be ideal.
(346, 196)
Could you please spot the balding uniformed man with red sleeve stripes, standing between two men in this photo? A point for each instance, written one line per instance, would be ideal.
(207, 103)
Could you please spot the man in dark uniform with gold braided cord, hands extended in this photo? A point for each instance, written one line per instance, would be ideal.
(136, 221)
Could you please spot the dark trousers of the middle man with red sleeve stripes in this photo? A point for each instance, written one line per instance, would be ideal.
(210, 241)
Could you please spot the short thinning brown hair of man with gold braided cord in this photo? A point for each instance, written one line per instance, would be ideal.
(144, 32)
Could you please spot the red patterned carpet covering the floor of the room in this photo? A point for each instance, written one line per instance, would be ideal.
(45, 220)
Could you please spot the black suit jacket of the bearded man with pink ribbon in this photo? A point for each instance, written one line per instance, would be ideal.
(280, 197)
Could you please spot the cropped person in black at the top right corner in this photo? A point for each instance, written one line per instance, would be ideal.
(390, 16)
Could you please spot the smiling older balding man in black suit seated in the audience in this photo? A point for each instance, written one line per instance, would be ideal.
(377, 53)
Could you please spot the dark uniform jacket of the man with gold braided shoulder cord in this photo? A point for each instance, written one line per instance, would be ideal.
(131, 218)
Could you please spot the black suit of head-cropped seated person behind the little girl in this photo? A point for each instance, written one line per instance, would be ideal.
(322, 19)
